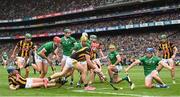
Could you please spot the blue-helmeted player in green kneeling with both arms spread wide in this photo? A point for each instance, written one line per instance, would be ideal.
(150, 63)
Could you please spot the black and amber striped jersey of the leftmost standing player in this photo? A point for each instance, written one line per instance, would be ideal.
(24, 48)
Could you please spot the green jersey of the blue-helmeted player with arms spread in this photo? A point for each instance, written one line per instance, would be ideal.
(149, 64)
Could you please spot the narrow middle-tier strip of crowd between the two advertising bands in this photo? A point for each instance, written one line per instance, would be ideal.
(78, 27)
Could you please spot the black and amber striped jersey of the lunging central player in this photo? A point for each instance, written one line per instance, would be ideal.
(80, 54)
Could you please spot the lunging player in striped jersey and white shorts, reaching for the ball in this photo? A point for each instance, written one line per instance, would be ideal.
(73, 62)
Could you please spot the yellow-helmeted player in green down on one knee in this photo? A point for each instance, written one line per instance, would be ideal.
(114, 67)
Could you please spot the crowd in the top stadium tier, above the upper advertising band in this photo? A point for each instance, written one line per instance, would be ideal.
(22, 9)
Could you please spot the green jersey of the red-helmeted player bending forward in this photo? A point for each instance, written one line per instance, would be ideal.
(49, 47)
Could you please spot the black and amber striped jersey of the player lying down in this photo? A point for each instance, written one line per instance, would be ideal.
(14, 81)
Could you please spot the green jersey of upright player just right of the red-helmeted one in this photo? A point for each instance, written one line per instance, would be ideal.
(67, 45)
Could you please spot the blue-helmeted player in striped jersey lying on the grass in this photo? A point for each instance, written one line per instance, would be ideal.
(16, 81)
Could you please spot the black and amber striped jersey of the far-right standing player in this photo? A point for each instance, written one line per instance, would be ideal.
(167, 49)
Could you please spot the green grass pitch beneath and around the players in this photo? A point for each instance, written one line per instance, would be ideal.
(103, 89)
